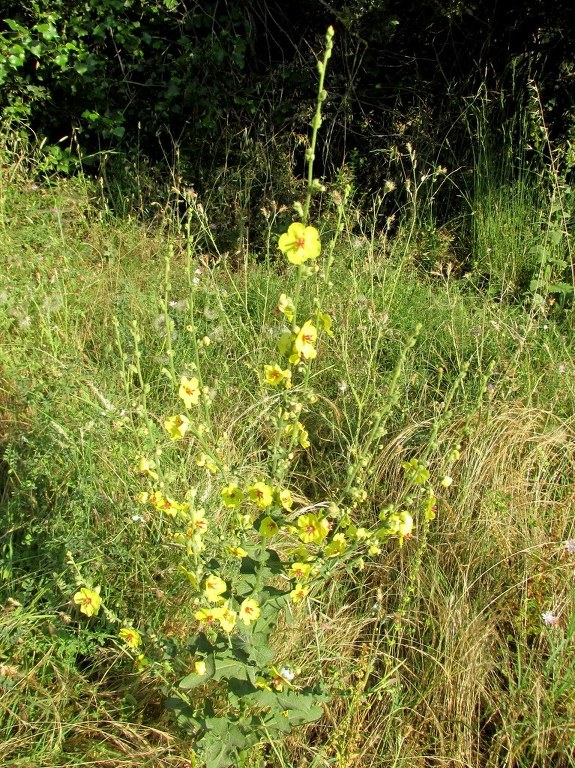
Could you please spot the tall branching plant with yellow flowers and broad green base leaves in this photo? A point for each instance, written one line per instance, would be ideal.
(254, 548)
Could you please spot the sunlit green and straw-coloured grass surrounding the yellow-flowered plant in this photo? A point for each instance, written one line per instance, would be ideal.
(436, 652)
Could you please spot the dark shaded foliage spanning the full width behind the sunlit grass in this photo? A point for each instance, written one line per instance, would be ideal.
(158, 75)
